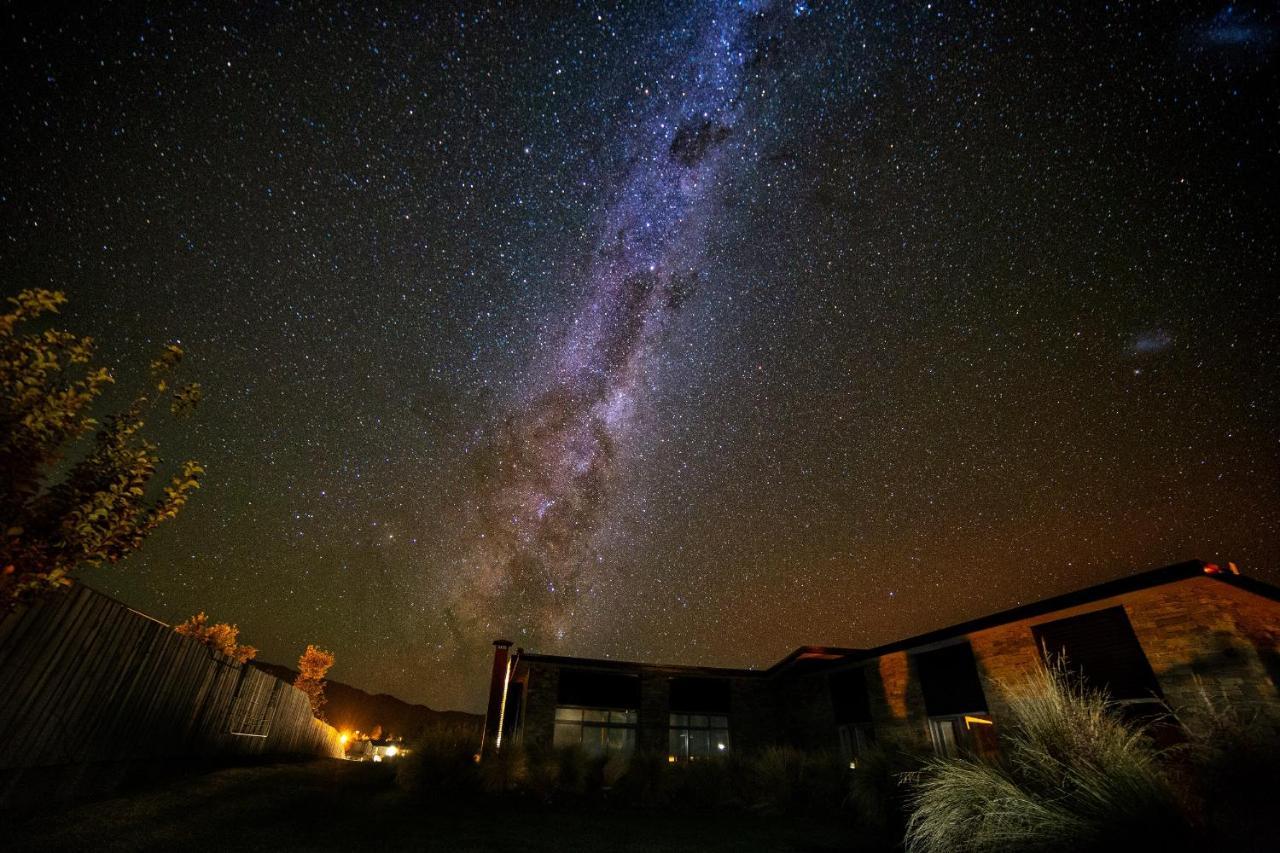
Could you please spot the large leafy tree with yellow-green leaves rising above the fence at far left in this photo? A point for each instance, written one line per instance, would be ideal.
(66, 503)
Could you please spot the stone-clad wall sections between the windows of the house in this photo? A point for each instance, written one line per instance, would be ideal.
(1195, 632)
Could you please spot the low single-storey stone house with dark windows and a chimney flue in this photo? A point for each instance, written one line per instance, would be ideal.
(1154, 640)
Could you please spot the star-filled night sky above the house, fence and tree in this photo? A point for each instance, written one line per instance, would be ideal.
(682, 332)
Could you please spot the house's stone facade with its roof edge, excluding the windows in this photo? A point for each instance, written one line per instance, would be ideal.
(1204, 636)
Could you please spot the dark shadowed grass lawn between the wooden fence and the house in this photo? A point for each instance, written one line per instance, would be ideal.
(335, 805)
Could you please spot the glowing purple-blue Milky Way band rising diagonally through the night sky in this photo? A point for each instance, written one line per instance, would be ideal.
(555, 458)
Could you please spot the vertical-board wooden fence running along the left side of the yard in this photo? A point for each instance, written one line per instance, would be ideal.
(85, 682)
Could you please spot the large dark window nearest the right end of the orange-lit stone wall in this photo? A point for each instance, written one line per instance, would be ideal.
(1103, 646)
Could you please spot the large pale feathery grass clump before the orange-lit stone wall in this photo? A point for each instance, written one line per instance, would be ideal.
(1073, 776)
